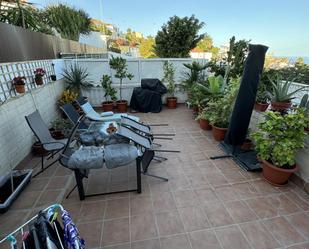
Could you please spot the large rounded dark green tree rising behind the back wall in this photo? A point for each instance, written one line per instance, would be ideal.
(178, 37)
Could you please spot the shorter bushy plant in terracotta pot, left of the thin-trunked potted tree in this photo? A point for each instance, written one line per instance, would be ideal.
(110, 93)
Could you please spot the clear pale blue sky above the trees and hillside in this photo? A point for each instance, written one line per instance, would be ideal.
(282, 25)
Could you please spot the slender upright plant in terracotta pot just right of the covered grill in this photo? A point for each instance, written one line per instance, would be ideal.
(169, 80)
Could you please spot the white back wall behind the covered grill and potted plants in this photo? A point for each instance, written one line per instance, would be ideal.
(140, 68)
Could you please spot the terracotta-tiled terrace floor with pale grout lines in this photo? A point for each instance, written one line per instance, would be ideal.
(205, 205)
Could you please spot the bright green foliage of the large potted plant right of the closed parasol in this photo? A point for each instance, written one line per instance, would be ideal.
(280, 136)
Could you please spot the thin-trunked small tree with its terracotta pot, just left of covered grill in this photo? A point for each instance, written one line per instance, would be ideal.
(121, 72)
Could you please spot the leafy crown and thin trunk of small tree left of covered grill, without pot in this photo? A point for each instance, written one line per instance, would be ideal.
(120, 66)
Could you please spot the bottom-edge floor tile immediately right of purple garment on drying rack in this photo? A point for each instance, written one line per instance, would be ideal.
(91, 233)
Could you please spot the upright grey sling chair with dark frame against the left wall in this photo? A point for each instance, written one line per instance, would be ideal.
(41, 131)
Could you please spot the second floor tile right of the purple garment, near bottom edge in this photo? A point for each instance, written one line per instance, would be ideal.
(116, 231)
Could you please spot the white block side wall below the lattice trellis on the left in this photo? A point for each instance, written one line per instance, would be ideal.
(16, 136)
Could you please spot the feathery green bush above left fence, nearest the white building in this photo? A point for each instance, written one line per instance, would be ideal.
(68, 21)
